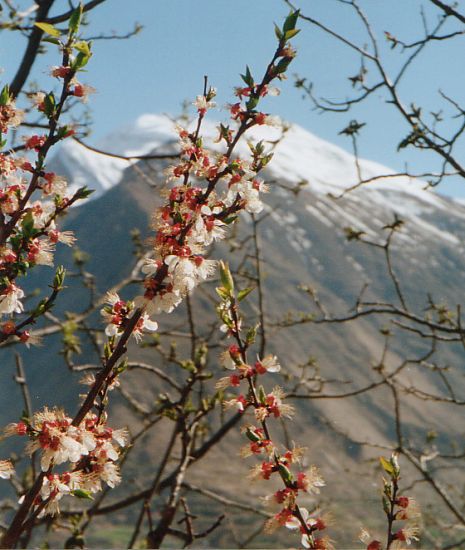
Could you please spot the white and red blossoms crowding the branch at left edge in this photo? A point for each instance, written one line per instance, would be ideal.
(31, 198)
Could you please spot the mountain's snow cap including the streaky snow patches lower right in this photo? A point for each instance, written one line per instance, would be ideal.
(300, 158)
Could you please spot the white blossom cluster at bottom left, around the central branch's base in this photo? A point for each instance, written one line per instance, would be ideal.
(90, 449)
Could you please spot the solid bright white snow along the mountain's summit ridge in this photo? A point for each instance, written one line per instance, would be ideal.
(299, 156)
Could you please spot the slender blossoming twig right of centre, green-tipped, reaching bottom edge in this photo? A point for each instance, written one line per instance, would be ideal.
(266, 405)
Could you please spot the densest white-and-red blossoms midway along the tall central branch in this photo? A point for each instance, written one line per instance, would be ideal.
(193, 218)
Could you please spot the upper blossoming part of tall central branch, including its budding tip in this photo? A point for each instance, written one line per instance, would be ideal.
(207, 191)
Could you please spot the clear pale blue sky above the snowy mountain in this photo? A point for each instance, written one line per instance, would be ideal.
(184, 39)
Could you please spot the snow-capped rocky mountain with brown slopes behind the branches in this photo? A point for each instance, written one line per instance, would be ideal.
(303, 242)
